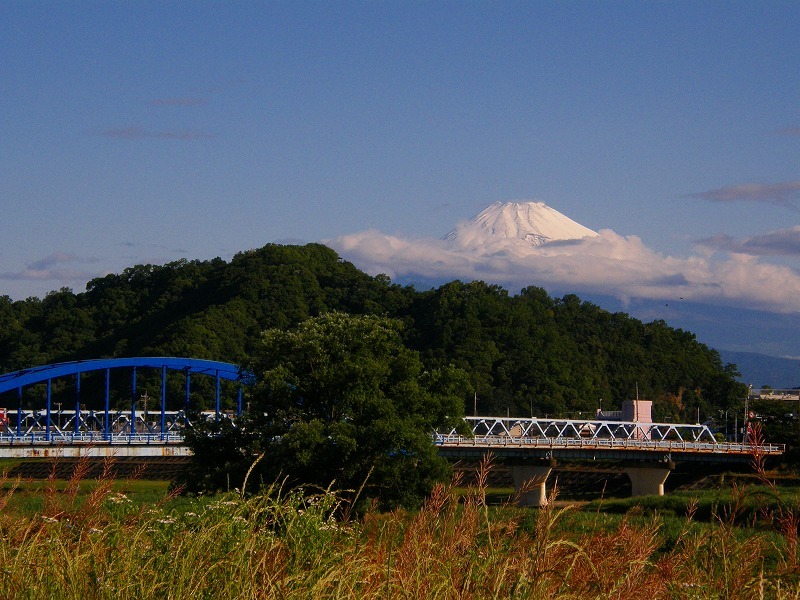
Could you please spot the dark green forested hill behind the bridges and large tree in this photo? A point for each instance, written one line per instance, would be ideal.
(524, 352)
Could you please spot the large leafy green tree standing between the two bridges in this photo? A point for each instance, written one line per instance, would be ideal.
(339, 401)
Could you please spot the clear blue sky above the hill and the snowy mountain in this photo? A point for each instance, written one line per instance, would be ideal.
(135, 132)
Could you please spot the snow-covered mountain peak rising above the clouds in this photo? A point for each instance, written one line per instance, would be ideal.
(531, 222)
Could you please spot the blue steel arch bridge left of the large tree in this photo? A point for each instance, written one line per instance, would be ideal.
(72, 424)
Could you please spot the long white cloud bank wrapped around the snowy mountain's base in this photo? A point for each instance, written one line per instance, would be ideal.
(609, 264)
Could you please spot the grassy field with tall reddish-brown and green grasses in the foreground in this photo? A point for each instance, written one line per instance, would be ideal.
(128, 539)
